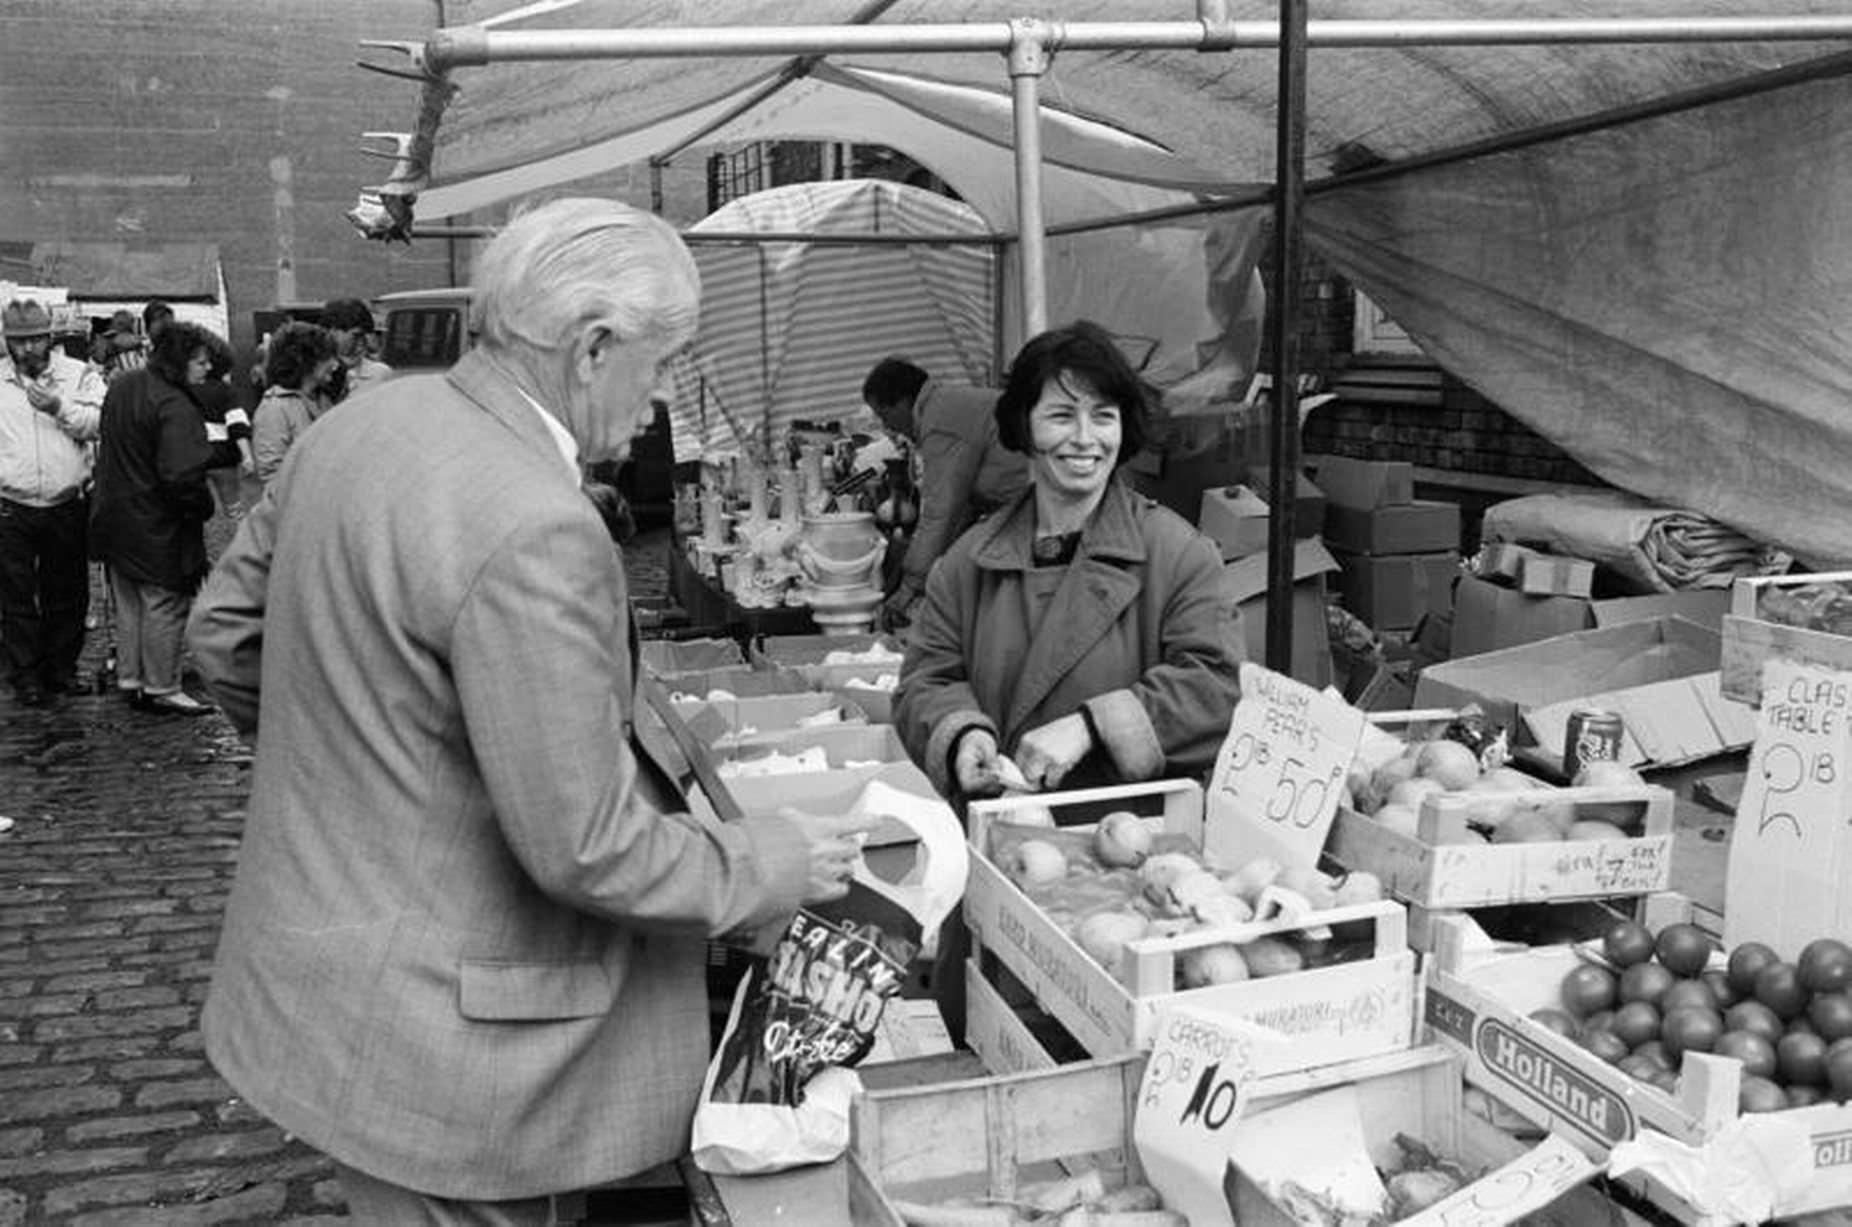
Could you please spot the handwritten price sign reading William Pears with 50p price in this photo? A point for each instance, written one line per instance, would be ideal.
(1281, 773)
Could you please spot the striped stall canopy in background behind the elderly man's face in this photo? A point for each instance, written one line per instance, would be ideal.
(790, 330)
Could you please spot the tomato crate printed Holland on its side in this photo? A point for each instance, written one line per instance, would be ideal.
(1481, 1008)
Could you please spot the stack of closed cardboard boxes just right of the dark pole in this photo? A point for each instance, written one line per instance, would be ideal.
(1399, 554)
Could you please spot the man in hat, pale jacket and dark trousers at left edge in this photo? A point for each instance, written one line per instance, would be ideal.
(51, 406)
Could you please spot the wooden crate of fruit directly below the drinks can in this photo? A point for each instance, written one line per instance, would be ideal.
(1434, 871)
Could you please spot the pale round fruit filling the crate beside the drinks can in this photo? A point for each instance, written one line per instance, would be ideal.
(1390, 786)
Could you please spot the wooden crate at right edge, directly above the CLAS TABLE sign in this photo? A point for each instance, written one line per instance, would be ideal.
(1803, 619)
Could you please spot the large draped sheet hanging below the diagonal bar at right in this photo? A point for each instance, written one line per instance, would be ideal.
(1666, 301)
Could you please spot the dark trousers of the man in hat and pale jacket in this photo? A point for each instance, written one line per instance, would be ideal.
(45, 589)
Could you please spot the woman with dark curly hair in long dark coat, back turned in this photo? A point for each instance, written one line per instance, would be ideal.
(151, 510)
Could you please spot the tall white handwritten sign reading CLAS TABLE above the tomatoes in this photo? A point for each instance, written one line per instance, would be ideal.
(1792, 843)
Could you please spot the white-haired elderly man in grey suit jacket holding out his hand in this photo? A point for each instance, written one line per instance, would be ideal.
(464, 954)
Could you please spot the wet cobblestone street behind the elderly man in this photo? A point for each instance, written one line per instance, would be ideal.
(112, 884)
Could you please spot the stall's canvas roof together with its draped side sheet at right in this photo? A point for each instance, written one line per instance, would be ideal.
(1634, 243)
